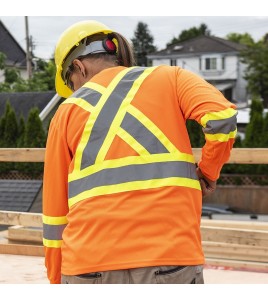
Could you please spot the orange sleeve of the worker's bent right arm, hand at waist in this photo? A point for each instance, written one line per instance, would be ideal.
(202, 102)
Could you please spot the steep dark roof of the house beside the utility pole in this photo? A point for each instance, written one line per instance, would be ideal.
(16, 56)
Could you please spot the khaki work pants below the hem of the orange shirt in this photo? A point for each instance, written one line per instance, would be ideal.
(148, 275)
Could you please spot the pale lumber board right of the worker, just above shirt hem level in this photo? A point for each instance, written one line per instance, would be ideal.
(237, 252)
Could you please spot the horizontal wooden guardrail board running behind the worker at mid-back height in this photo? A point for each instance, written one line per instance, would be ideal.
(238, 155)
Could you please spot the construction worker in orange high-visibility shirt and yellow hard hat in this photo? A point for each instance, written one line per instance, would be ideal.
(122, 195)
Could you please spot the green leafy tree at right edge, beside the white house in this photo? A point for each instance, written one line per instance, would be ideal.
(255, 57)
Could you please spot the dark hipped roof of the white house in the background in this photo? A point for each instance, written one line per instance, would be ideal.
(199, 45)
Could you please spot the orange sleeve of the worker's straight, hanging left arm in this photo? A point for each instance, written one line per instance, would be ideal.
(55, 198)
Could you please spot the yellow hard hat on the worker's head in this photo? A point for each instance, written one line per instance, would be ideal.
(70, 38)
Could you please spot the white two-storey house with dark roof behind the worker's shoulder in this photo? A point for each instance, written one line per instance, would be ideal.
(215, 59)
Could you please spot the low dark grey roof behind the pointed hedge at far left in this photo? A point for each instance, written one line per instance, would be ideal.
(23, 102)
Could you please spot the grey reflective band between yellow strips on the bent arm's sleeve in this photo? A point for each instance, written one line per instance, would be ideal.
(220, 126)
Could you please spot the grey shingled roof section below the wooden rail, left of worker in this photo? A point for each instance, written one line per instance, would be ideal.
(19, 195)
